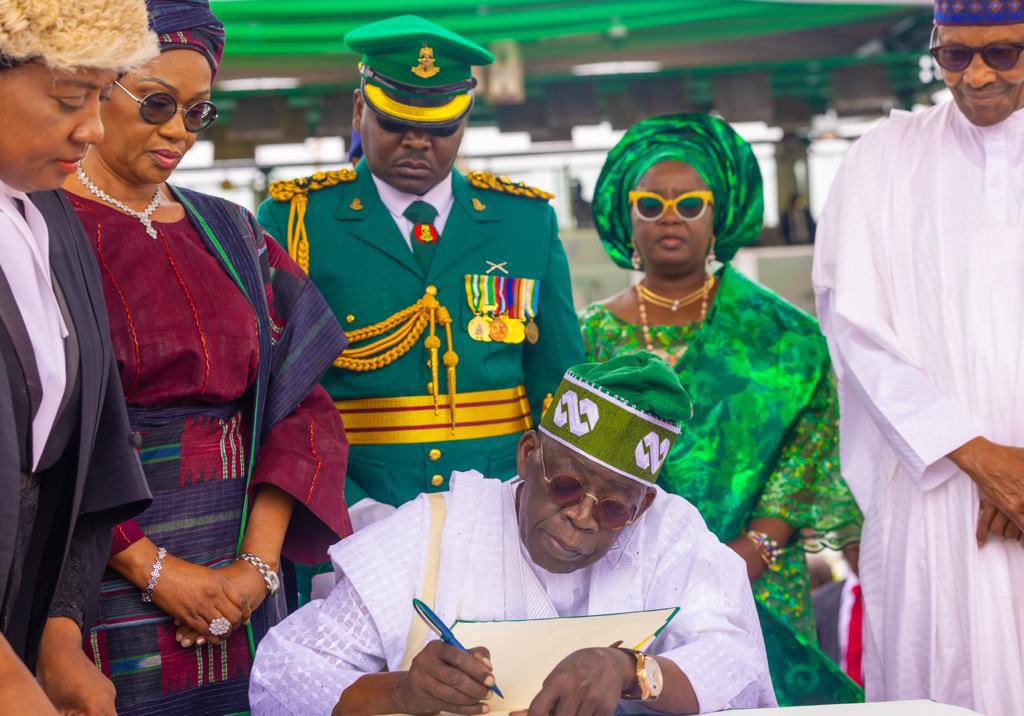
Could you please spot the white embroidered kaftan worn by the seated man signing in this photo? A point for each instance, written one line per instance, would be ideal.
(667, 559)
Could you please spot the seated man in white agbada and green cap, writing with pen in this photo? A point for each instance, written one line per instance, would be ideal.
(583, 531)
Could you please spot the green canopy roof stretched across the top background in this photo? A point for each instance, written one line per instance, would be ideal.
(273, 28)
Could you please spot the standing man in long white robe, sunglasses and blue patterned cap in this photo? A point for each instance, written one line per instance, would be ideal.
(920, 282)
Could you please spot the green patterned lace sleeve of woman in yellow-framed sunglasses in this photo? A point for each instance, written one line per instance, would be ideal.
(806, 489)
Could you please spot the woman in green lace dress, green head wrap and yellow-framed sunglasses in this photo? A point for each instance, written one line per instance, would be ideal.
(676, 199)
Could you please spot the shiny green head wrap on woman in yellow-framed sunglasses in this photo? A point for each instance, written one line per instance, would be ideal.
(723, 159)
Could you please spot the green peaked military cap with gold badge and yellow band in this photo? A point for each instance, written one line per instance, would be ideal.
(415, 71)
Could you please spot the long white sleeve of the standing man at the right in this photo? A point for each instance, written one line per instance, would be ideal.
(856, 289)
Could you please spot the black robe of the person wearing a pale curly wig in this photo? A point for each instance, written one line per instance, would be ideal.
(95, 480)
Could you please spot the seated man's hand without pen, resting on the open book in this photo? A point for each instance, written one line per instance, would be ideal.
(588, 683)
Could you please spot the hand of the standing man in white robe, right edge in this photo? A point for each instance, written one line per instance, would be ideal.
(999, 473)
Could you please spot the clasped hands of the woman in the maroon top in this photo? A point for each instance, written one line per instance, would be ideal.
(196, 596)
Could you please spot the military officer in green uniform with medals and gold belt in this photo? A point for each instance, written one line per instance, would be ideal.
(454, 289)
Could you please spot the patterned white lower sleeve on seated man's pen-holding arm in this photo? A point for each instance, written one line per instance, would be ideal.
(307, 662)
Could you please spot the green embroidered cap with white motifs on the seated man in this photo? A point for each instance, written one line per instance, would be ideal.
(624, 414)
